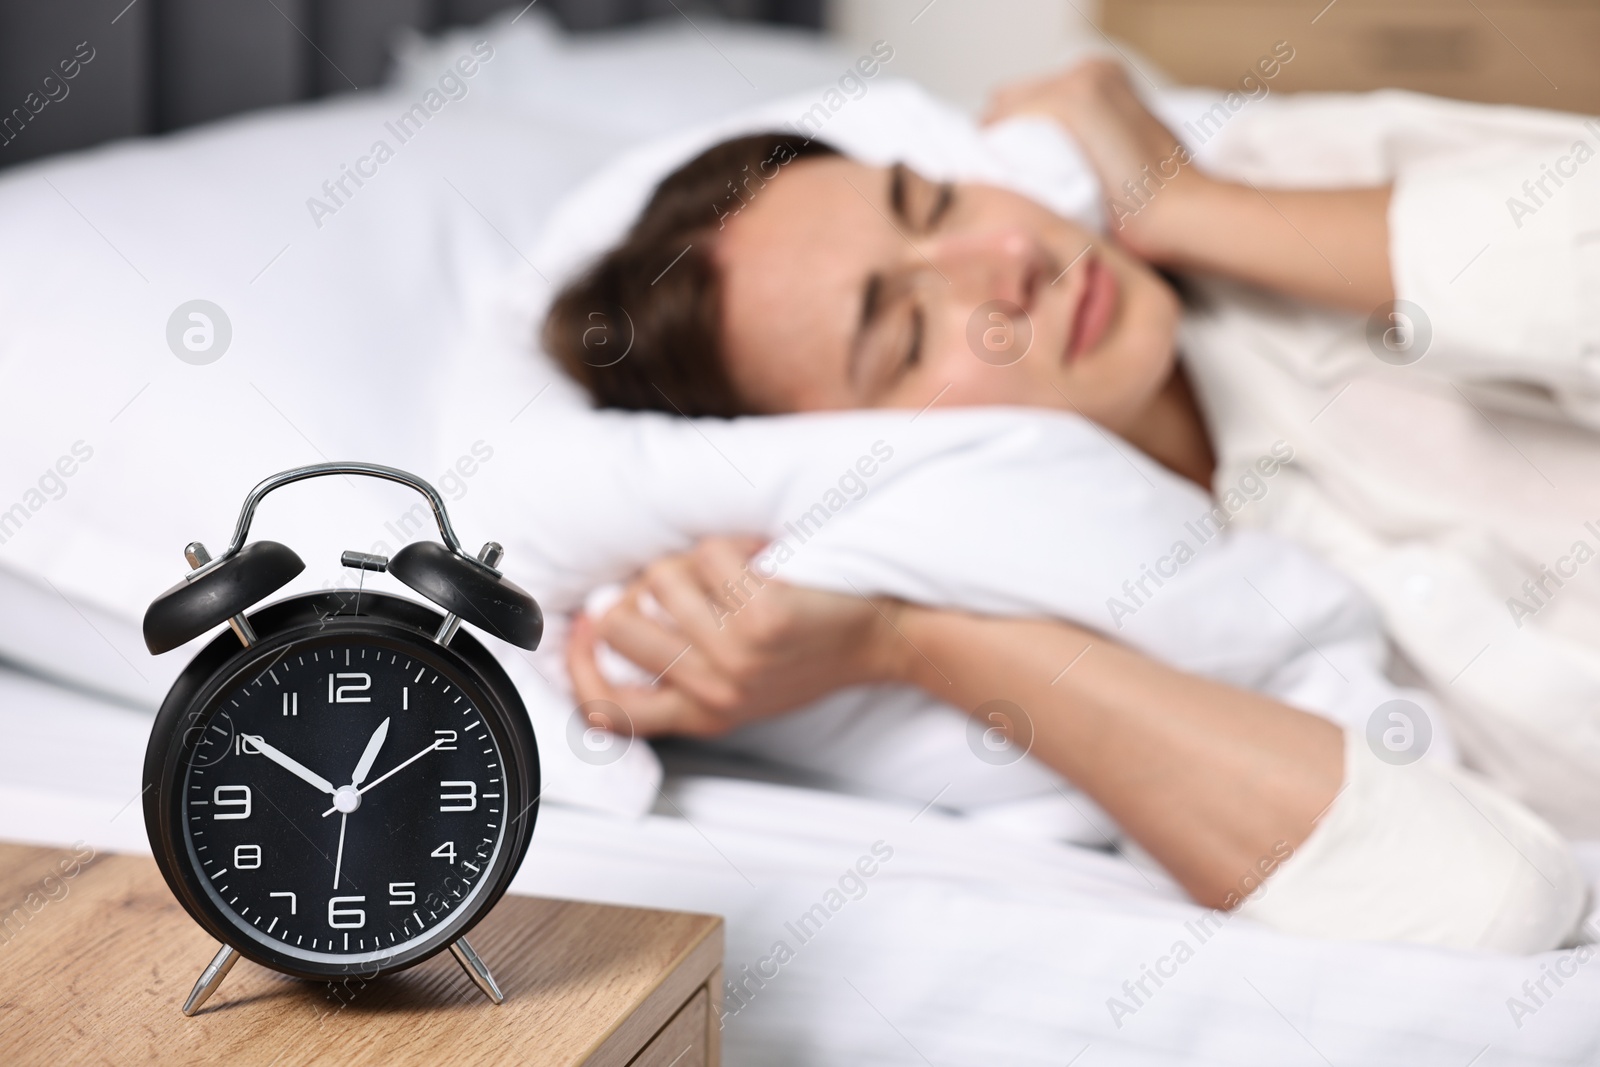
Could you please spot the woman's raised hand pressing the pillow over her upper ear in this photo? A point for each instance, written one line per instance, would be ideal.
(1124, 143)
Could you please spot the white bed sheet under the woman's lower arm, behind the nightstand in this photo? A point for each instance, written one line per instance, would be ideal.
(967, 948)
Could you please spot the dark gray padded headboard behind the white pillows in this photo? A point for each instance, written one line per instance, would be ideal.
(78, 73)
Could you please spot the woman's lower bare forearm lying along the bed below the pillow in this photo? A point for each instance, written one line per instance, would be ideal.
(1210, 780)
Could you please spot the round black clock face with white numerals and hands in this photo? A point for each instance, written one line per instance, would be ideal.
(345, 801)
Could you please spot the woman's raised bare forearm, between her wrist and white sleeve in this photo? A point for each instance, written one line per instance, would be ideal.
(1324, 246)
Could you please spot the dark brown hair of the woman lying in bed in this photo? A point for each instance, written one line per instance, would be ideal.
(642, 327)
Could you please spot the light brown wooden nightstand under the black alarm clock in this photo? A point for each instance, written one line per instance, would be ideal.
(94, 969)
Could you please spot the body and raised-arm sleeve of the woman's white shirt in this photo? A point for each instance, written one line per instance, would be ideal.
(1460, 490)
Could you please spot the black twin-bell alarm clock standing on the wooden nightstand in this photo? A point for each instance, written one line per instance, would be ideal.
(342, 785)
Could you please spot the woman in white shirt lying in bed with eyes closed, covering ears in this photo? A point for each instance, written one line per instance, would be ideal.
(844, 286)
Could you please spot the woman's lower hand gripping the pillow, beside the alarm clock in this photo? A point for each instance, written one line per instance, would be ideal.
(730, 647)
